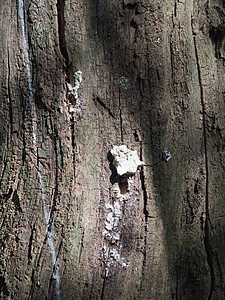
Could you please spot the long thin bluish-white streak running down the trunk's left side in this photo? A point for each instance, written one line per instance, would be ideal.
(49, 228)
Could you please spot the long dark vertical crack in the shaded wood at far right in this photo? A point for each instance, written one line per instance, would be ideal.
(207, 244)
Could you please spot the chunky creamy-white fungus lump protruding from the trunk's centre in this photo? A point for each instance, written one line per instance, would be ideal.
(126, 161)
